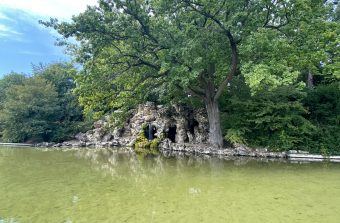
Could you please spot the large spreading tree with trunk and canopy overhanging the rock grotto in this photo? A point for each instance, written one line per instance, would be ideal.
(132, 48)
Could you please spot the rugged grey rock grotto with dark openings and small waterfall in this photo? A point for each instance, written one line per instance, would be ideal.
(171, 124)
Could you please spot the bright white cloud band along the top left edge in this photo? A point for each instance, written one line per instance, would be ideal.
(61, 9)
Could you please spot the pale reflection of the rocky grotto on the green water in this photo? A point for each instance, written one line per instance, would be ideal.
(124, 164)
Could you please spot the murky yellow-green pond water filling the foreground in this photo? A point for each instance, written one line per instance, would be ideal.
(116, 185)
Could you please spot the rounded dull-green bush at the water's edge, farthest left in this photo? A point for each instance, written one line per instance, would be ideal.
(29, 111)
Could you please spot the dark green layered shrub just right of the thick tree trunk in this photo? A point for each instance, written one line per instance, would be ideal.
(274, 119)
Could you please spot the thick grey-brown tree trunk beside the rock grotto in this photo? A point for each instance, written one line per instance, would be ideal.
(215, 132)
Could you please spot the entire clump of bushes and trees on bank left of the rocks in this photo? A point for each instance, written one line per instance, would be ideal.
(41, 107)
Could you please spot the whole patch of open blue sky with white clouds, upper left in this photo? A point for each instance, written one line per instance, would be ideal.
(23, 41)
